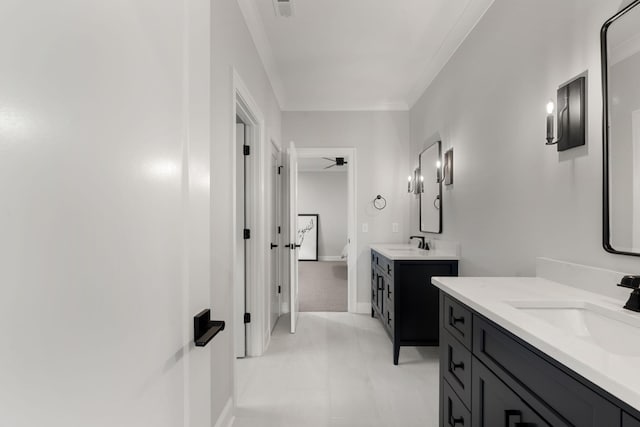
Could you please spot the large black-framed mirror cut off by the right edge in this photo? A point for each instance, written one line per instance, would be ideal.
(620, 47)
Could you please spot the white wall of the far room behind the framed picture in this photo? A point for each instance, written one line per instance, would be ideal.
(325, 193)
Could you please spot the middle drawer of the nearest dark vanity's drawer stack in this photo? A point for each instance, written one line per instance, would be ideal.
(455, 367)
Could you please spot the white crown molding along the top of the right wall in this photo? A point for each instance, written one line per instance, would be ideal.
(469, 18)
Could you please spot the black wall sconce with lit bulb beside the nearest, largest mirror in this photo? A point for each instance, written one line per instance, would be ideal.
(571, 112)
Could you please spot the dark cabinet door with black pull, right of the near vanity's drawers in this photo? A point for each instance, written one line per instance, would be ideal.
(496, 405)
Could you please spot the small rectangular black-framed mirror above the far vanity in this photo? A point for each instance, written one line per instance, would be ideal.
(431, 186)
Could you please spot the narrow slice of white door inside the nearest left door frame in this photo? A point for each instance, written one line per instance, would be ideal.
(240, 282)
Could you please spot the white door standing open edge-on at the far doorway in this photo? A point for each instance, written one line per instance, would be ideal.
(293, 235)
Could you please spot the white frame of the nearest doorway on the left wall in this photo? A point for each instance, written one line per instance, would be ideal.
(244, 106)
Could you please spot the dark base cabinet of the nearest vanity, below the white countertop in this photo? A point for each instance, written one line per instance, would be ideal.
(491, 378)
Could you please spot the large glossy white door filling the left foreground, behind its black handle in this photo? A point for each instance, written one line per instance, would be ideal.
(104, 255)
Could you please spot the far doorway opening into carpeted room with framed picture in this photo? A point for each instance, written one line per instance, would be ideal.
(328, 281)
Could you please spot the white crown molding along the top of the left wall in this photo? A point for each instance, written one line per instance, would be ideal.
(261, 41)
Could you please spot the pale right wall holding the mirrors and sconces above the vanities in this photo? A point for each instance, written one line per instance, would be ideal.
(514, 198)
